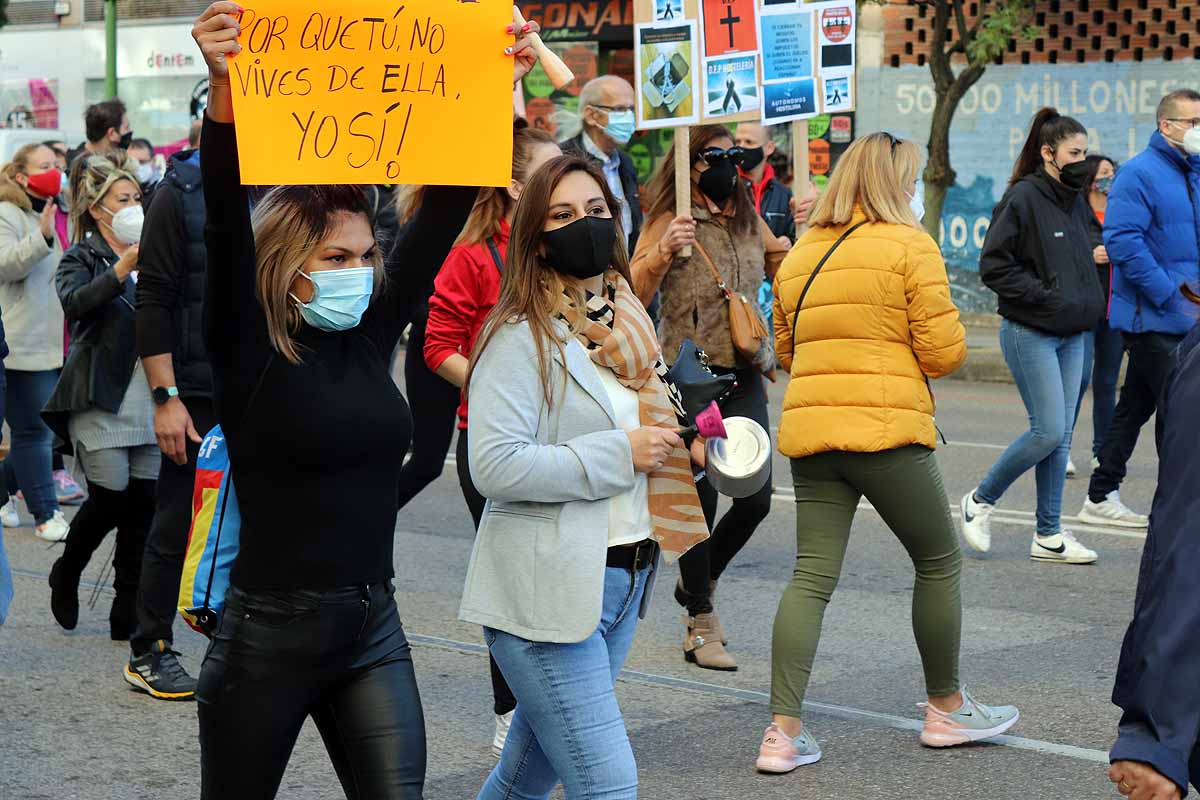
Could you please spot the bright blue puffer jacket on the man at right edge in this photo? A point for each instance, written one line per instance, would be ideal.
(1153, 234)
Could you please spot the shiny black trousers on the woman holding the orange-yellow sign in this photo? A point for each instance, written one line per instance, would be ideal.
(339, 657)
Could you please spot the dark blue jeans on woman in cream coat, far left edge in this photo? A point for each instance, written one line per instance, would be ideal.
(28, 466)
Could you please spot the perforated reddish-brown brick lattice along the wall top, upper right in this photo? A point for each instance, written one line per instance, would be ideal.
(1072, 32)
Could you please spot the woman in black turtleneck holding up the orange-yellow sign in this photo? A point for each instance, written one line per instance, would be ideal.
(301, 317)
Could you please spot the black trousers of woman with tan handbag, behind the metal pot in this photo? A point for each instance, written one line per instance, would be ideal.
(706, 562)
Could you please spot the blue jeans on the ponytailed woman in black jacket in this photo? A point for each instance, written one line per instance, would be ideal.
(1048, 371)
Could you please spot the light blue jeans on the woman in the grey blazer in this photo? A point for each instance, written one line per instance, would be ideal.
(567, 726)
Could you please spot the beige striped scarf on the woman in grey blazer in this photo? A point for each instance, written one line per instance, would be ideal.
(619, 335)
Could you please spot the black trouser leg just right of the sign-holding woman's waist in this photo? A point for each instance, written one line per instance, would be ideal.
(435, 404)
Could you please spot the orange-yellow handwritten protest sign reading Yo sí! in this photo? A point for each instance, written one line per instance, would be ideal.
(363, 92)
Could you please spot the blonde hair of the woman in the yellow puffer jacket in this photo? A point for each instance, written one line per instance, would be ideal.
(872, 176)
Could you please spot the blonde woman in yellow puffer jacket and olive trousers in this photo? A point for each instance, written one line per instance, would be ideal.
(875, 324)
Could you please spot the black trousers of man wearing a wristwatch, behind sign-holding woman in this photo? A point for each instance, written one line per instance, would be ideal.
(163, 562)
